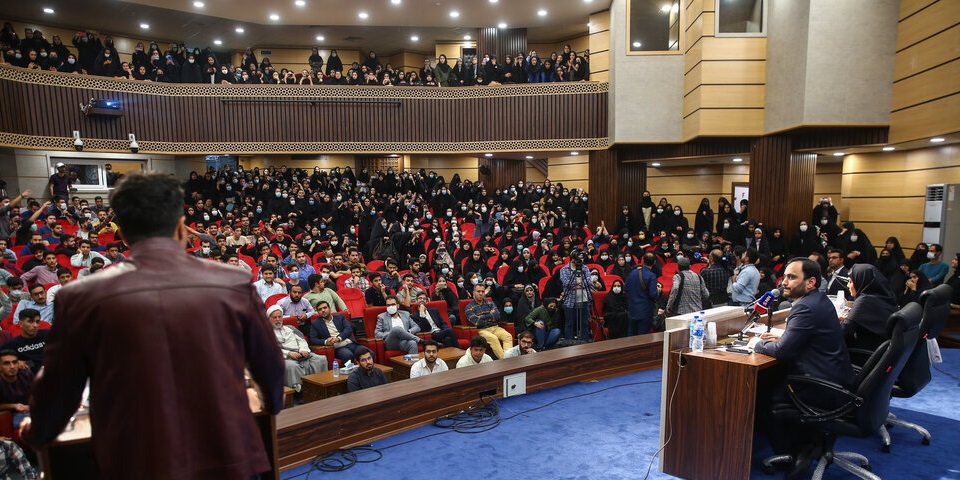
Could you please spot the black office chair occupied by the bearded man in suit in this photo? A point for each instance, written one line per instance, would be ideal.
(866, 403)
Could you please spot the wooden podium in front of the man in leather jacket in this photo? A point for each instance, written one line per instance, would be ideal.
(70, 456)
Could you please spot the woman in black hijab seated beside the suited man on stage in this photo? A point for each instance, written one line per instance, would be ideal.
(864, 326)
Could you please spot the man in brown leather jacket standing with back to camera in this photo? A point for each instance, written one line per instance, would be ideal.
(163, 339)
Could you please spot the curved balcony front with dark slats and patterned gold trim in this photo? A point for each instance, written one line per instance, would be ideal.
(42, 109)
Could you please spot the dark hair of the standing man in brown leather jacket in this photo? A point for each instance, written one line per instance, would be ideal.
(147, 205)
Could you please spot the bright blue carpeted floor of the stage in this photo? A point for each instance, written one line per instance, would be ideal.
(573, 438)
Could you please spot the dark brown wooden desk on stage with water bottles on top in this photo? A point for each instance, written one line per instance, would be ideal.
(708, 402)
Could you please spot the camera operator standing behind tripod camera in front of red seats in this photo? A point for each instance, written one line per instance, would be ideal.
(576, 297)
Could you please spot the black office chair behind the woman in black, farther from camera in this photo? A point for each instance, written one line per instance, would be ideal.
(916, 374)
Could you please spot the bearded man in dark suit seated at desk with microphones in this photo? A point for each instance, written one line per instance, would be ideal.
(813, 345)
